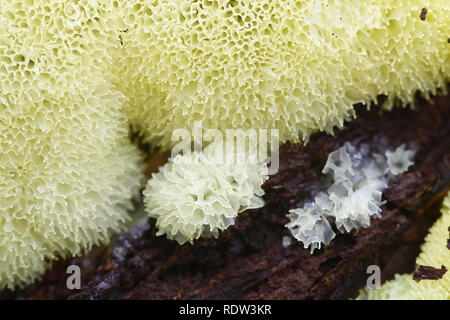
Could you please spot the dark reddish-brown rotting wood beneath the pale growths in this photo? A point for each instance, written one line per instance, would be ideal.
(248, 260)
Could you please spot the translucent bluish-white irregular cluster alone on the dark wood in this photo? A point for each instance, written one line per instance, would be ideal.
(353, 198)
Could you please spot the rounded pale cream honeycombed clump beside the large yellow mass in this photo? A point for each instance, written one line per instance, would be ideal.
(193, 195)
